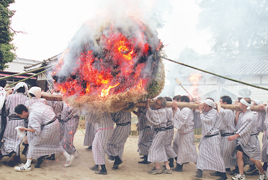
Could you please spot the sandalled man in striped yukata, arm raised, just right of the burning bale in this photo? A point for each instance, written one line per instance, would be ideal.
(158, 119)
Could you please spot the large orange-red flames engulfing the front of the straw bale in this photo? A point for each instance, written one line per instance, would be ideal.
(121, 62)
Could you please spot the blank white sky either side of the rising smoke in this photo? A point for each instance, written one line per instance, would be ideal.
(49, 25)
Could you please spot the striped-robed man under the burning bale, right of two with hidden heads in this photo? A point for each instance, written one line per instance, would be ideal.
(115, 145)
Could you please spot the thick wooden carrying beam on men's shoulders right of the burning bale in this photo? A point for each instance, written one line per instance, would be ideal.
(195, 106)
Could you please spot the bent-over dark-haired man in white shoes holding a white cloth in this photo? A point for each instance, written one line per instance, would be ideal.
(42, 133)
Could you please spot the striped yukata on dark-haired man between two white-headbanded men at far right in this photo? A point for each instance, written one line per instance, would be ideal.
(228, 151)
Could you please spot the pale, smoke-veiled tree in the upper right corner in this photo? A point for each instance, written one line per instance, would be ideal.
(237, 26)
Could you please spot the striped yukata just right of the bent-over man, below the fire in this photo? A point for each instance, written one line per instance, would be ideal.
(71, 123)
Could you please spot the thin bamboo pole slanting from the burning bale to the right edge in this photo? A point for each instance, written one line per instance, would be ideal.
(241, 82)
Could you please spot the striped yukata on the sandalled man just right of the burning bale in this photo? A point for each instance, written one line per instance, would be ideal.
(158, 119)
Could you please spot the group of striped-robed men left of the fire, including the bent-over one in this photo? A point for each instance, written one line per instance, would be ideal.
(44, 127)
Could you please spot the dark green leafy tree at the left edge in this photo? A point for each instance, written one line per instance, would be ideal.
(6, 34)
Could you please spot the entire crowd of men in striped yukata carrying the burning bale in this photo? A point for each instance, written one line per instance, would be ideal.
(229, 138)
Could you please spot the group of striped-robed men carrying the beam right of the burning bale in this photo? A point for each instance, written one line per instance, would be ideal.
(229, 138)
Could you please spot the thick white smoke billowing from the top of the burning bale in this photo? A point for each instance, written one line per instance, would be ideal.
(119, 12)
